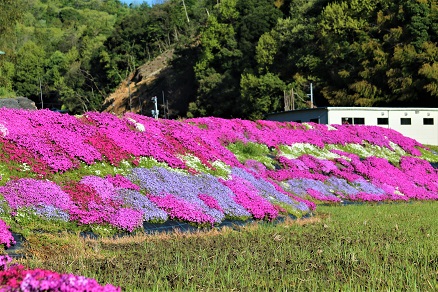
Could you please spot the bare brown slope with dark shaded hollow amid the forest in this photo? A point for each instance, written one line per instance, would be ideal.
(167, 78)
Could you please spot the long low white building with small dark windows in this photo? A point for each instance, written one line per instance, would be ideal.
(420, 124)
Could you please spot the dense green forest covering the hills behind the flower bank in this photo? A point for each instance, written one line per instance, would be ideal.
(244, 55)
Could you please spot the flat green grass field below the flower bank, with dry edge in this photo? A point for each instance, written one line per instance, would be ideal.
(357, 247)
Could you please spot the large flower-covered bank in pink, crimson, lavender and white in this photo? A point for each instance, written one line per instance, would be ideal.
(101, 171)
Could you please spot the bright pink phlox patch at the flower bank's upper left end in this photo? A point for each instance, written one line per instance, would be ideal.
(56, 139)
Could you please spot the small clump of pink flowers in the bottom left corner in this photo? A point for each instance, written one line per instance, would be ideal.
(18, 278)
